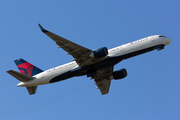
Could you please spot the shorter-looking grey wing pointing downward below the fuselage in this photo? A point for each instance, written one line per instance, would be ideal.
(103, 80)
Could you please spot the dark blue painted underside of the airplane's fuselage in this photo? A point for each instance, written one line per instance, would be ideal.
(88, 70)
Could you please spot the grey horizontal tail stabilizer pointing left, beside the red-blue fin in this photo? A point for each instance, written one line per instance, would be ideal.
(20, 76)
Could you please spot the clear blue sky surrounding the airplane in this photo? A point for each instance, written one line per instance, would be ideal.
(151, 91)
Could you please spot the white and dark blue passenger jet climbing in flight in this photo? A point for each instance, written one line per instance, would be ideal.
(97, 64)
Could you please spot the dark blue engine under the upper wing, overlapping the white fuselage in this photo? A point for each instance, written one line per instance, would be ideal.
(99, 53)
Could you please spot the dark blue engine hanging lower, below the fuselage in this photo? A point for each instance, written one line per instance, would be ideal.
(119, 74)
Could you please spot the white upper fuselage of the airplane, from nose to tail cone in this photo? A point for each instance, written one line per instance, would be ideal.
(46, 76)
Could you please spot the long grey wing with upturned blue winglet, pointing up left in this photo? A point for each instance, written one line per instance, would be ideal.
(80, 53)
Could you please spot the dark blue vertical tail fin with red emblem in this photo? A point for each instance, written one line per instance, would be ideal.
(27, 68)
